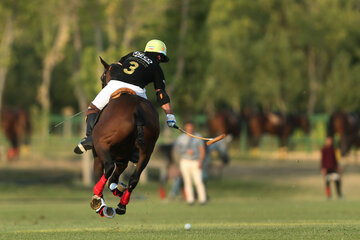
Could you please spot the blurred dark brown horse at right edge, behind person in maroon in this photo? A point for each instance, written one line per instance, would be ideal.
(347, 126)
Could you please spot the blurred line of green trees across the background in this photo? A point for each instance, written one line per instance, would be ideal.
(286, 55)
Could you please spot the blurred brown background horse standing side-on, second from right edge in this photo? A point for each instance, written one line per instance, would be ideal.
(279, 125)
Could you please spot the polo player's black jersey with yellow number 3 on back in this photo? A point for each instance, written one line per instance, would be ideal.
(140, 69)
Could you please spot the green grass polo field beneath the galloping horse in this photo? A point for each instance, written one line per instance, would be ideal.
(259, 200)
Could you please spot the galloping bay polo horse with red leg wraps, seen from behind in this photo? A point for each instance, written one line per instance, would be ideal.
(127, 130)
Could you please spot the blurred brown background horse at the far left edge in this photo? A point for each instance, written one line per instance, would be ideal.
(16, 126)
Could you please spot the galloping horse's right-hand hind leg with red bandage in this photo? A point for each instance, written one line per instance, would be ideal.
(134, 179)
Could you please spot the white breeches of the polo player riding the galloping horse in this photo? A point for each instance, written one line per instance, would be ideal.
(103, 97)
